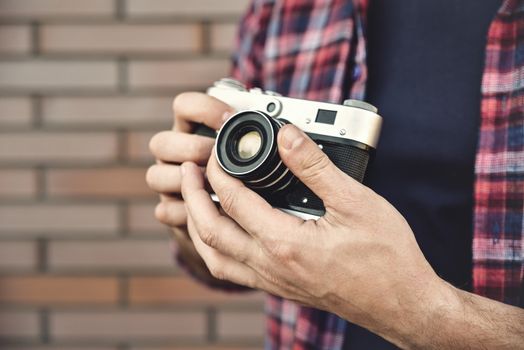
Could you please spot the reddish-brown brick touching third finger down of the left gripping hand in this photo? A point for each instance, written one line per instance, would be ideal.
(112, 182)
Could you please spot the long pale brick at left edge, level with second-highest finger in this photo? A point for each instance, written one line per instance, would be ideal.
(49, 147)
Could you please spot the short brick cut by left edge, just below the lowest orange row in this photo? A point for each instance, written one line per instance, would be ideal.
(14, 324)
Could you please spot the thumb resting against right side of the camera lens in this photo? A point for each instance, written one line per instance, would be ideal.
(312, 166)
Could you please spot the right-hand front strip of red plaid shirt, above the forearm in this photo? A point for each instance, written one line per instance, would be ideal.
(499, 189)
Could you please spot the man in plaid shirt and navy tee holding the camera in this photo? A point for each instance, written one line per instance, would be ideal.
(362, 263)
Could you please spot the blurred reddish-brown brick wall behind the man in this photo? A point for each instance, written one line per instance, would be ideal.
(83, 264)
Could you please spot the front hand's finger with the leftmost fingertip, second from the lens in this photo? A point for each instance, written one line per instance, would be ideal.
(214, 230)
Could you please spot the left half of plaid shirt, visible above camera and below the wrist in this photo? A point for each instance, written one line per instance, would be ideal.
(304, 49)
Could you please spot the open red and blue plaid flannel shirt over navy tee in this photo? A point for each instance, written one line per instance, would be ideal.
(311, 48)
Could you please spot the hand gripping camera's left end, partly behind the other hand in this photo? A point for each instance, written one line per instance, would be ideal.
(172, 148)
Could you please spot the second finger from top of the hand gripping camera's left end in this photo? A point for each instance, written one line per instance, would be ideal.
(176, 147)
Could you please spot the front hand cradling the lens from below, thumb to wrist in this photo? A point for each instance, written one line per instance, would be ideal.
(360, 260)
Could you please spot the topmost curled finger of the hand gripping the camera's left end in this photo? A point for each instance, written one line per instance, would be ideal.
(196, 107)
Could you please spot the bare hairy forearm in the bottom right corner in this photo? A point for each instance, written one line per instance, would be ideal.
(449, 318)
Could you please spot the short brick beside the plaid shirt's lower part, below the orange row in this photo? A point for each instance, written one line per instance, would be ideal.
(240, 325)
